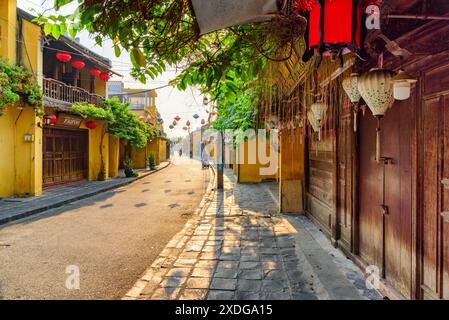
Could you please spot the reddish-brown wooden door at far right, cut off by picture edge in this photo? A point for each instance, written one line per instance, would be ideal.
(435, 217)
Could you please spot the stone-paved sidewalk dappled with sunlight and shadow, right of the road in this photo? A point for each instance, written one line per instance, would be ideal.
(239, 248)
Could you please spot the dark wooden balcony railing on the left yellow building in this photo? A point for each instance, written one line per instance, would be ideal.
(57, 90)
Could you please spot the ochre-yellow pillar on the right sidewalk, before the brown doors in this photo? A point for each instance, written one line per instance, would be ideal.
(291, 177)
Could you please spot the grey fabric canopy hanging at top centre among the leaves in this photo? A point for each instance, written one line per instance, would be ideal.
(219, 14)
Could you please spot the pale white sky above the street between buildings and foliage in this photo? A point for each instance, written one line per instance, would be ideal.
(170, 101)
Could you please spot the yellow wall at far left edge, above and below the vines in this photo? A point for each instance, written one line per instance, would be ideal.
(21, 162)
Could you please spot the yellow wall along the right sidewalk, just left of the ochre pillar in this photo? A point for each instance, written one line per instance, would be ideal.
(250, 173)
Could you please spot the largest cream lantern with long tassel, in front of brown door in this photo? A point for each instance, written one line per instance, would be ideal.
(376, 88)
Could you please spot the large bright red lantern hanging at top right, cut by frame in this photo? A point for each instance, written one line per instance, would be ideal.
(333, 25)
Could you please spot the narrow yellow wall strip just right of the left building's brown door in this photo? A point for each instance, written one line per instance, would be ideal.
(94, 150)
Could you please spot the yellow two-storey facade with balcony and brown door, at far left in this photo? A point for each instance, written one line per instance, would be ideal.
(35, 155)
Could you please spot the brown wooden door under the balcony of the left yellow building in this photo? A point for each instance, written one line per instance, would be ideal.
(64, 156)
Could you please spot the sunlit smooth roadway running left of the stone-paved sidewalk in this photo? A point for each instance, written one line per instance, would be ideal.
(111, 238)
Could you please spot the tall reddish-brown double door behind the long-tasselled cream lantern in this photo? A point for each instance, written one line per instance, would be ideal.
(386, 235)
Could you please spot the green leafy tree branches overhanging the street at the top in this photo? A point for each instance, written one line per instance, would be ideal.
(158, 33)
